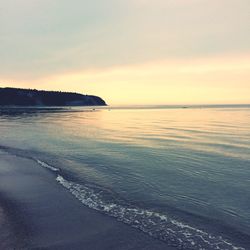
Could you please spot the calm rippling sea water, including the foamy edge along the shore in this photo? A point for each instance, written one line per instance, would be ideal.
(181, 175)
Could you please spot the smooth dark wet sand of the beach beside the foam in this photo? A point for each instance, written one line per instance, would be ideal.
(41, 214)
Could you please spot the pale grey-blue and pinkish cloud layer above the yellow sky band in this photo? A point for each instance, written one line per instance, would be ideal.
(40, 38)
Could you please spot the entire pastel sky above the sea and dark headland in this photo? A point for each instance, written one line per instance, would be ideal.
(129, 51)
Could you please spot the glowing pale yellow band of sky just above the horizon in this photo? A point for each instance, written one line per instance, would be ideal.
(212, 80)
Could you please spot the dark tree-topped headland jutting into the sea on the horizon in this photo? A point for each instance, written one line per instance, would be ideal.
(27, 97)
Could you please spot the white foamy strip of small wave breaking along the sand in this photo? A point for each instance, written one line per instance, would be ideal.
(155, 224)
